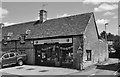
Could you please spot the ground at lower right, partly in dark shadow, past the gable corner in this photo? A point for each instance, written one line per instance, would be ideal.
(109, 67)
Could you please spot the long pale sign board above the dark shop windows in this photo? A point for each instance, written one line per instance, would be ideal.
(62, 40)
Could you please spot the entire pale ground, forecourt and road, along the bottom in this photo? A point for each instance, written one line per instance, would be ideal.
(108, 69)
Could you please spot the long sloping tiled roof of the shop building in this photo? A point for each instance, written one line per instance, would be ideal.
(71, 25)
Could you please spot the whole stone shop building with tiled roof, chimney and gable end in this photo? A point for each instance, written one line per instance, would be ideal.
(71, 41)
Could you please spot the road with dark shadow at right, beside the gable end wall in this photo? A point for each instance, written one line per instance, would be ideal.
(110, 69)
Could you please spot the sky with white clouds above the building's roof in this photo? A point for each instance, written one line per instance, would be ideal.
(105, 11)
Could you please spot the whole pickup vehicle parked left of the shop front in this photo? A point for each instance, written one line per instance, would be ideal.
(12, 58)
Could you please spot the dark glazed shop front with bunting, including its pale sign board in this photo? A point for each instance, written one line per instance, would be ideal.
(54, 52)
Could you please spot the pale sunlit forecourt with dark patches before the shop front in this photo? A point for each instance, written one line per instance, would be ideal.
(37, 70)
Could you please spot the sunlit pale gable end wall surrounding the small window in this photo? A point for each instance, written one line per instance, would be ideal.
(91, 42)
